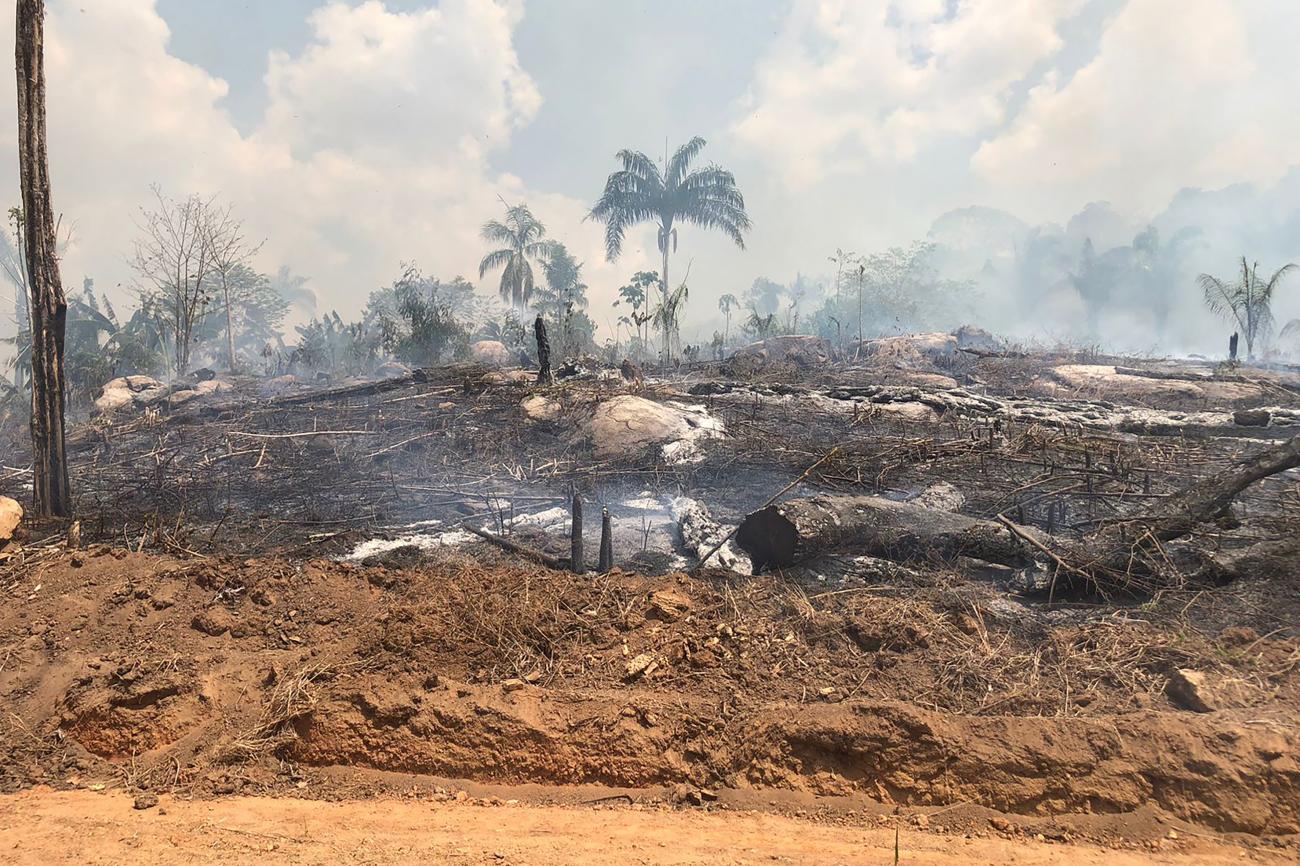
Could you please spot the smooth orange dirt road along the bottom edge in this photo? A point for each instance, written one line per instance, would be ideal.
(98, 829)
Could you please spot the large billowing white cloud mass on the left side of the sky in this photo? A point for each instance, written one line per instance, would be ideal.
(374, 150)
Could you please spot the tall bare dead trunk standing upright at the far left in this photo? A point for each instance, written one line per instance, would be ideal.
(49, 309)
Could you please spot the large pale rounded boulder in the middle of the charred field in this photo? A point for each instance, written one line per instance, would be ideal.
(629, 425)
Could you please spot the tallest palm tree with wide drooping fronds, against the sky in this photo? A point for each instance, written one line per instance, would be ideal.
(642, 193)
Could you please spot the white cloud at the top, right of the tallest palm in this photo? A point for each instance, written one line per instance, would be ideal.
(848, 83)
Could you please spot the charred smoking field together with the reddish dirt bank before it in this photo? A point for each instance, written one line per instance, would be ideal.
(1059, 588)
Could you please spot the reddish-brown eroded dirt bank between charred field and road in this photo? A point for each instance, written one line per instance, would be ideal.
(219, 677)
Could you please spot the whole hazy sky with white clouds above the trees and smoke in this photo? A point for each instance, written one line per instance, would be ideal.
(357, 136)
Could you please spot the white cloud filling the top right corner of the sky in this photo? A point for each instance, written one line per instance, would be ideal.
(1181, 93)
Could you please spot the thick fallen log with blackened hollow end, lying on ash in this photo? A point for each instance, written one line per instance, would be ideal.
(794, 531)
